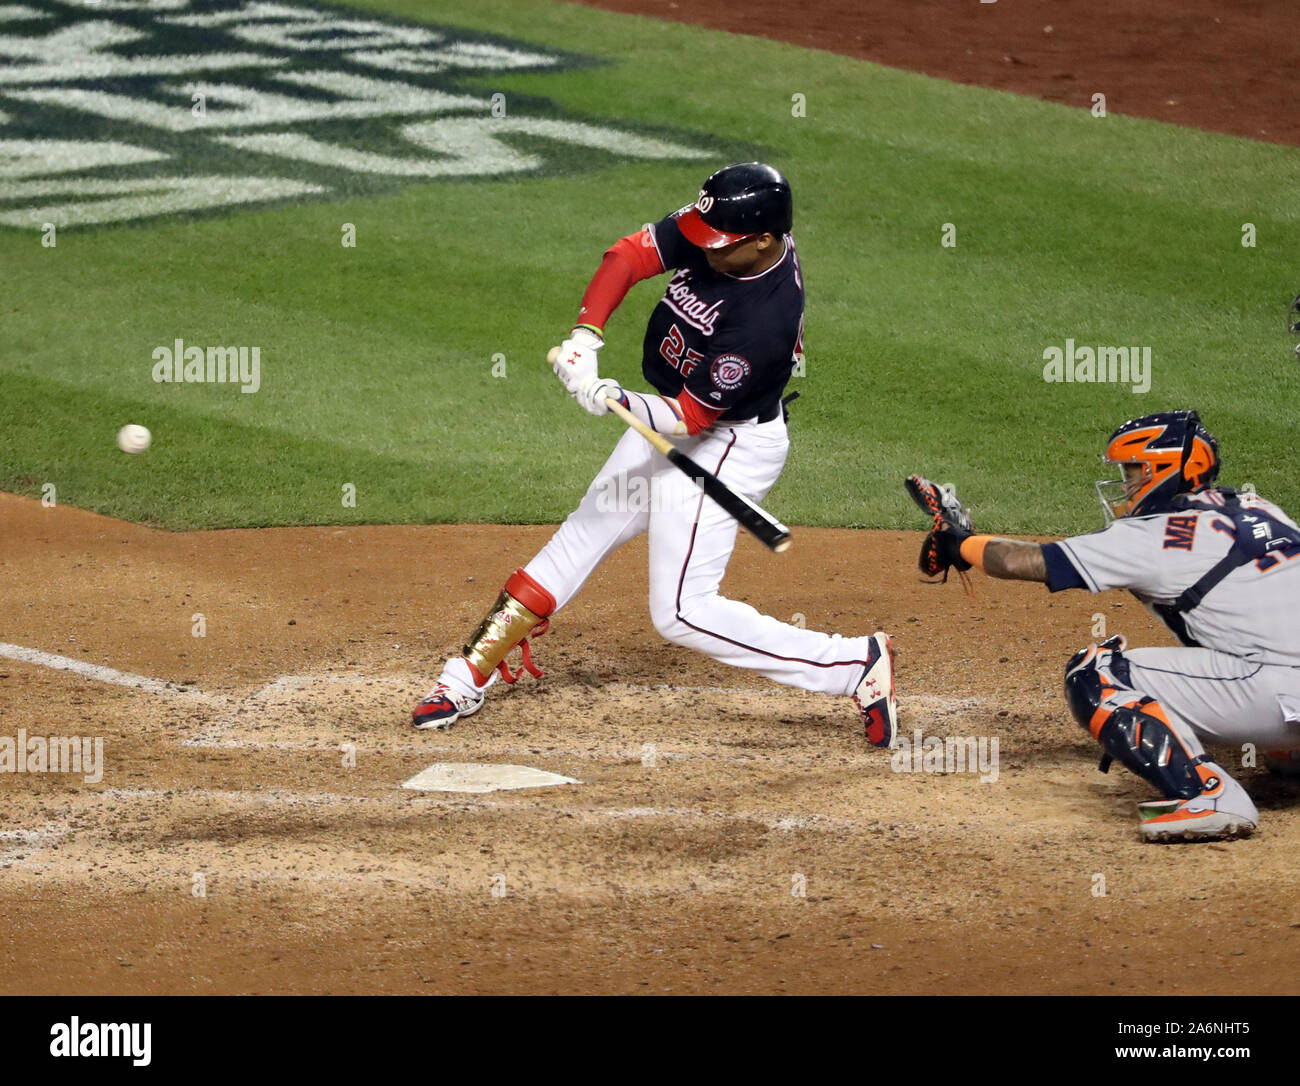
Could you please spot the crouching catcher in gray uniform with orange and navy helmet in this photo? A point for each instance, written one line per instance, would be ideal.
(1219, 568)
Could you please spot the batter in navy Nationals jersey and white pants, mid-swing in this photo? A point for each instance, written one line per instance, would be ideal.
(718, 353)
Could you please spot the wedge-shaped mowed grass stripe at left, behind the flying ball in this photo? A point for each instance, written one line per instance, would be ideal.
(209, 471)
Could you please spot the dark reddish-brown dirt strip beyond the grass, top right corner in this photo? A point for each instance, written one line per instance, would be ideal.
(1201, 63)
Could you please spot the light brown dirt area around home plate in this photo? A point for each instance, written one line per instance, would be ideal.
(707, 799)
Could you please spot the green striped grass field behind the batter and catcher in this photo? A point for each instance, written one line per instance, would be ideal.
(378, 361)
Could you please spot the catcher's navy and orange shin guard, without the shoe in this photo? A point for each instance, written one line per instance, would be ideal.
(1132, 726)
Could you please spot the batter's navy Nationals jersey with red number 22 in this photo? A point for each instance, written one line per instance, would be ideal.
(729, 341)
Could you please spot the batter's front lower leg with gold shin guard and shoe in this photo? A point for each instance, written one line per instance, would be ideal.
(522, 612)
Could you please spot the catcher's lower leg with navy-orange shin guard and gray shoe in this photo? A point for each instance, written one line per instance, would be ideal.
(1203, 801)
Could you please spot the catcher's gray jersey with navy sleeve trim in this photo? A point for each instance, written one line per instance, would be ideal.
(1254, 613)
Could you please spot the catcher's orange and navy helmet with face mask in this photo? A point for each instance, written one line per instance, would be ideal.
(1176, 456)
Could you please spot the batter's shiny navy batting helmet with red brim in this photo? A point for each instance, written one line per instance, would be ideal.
(736, 204)
